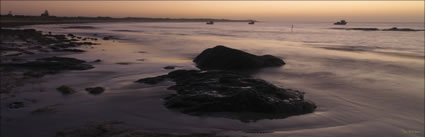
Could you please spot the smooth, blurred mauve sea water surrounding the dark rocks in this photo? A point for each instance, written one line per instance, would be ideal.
(365, 83)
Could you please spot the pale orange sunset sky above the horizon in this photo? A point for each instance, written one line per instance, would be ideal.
(291, 11)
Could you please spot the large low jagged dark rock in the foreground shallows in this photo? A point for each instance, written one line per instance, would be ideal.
(207, 92)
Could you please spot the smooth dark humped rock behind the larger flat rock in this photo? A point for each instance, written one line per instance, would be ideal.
(221, 57)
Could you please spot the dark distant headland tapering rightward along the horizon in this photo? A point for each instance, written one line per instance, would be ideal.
(10, 20)
